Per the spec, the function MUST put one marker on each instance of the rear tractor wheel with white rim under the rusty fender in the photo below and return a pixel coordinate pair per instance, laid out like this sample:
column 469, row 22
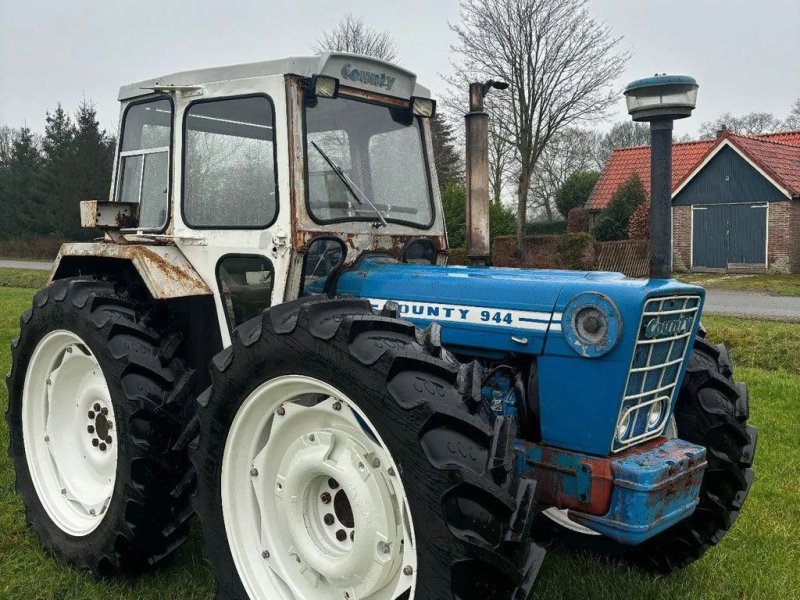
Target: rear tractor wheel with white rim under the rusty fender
column 97, row 400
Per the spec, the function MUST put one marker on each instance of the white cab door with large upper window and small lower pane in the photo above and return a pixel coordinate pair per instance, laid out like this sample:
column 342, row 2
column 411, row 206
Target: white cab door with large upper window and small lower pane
column 231, row 171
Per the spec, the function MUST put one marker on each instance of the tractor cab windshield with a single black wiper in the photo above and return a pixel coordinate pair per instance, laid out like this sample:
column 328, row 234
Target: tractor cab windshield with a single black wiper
column 379, row 149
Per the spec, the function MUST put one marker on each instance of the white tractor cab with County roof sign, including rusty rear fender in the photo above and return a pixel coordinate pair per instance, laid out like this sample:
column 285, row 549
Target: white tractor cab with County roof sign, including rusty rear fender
column 250, row 182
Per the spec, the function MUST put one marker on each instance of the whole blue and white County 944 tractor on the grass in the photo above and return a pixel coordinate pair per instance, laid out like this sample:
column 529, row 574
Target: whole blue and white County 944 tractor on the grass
column 268, row 335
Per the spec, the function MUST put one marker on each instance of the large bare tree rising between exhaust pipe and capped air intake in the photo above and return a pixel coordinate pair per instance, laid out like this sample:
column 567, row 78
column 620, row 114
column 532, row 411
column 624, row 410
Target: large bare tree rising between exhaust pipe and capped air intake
column 559, row 62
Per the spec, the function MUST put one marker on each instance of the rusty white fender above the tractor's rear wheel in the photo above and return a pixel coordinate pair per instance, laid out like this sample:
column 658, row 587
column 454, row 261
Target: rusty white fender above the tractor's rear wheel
column 164, row 269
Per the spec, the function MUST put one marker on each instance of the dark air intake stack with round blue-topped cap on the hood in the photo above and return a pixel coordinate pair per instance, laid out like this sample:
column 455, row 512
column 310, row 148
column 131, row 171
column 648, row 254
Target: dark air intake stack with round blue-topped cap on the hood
column 660, row 100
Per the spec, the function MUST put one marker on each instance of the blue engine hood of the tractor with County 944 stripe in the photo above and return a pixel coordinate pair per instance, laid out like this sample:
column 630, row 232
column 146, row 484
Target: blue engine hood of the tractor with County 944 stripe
column 579, row 397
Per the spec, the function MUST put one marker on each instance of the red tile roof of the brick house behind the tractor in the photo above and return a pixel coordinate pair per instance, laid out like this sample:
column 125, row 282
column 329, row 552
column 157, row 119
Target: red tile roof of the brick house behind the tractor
column 777, row 154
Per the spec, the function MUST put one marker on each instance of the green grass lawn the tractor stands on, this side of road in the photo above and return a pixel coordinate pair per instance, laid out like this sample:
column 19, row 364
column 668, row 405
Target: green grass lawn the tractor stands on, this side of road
column 760, row 558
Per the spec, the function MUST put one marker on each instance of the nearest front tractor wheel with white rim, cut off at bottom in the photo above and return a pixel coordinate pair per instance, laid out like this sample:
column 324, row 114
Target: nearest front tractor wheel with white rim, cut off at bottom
column 321, row 401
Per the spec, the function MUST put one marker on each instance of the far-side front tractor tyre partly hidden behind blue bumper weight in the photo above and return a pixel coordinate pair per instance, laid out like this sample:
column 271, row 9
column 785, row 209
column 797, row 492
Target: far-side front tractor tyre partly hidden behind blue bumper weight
column 711, row 411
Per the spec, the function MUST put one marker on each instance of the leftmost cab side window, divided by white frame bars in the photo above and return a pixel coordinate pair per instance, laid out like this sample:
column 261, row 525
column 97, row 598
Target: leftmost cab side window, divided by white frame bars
column 143, row 172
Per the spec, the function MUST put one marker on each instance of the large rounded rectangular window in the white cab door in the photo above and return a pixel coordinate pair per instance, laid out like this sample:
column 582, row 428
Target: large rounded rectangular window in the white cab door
column 229, row 164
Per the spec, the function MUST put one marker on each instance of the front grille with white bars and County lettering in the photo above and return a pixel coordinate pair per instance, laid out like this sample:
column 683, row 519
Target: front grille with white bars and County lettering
column 662, row 345
